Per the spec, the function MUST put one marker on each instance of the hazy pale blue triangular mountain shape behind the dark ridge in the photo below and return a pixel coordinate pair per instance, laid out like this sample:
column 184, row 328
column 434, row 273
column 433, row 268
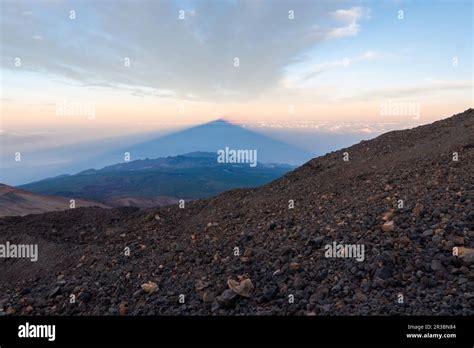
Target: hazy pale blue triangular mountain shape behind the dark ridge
column 208, row 137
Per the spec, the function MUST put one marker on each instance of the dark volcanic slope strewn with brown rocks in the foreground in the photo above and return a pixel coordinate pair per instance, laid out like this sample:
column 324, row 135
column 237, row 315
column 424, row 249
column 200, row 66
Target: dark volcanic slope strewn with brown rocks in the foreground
column 406, row 196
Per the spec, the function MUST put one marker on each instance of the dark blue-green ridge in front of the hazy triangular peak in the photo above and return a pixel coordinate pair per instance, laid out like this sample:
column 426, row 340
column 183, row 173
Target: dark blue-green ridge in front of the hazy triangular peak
column 155, row 182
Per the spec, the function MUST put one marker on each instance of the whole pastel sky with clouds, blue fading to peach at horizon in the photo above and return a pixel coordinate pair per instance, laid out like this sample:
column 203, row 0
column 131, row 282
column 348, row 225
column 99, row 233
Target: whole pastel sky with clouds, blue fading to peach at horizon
column 79, row 70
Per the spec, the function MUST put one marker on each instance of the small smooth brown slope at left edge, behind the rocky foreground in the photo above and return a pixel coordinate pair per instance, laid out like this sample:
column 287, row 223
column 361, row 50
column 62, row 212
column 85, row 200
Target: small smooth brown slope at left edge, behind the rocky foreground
column 15, row 202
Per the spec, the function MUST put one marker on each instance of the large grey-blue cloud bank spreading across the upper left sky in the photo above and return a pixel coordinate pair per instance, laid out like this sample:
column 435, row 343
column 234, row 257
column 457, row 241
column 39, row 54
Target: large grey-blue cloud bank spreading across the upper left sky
column 174, row 49
